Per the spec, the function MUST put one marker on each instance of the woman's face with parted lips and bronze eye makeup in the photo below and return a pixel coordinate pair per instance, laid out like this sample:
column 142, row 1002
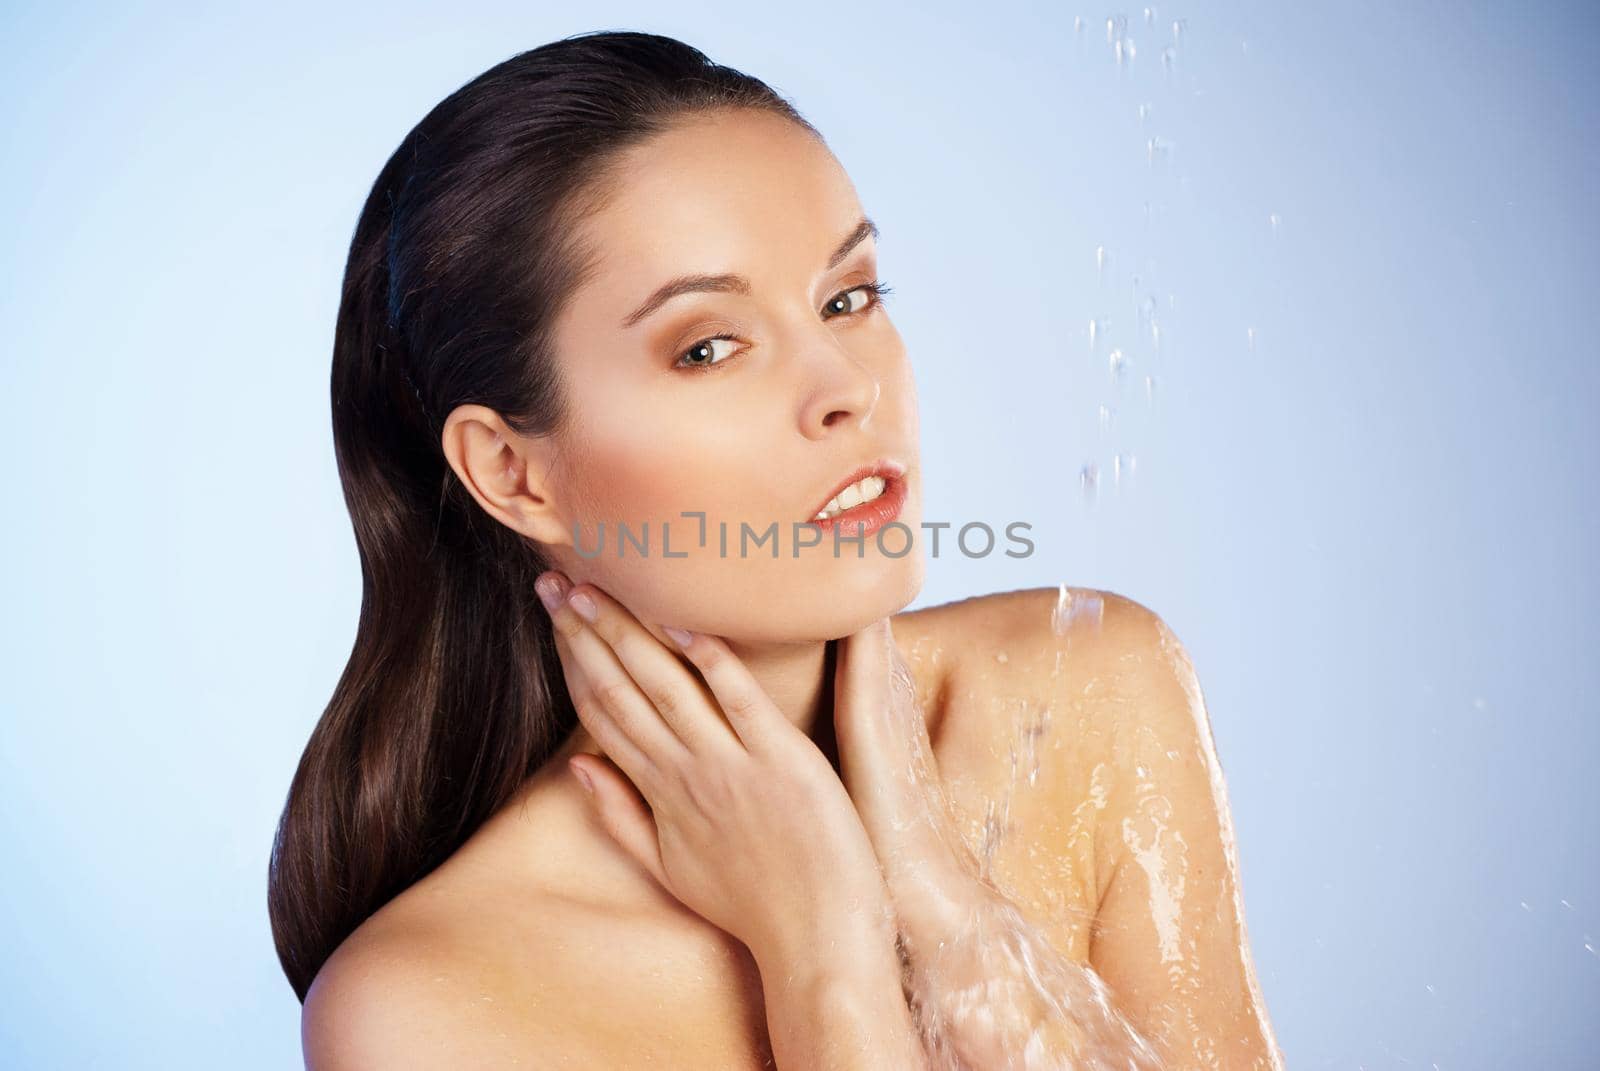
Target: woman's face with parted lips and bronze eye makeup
column 759, row 428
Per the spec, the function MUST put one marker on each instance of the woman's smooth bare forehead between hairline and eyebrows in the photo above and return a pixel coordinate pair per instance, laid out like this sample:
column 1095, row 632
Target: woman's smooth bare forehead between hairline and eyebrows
column 735, row 191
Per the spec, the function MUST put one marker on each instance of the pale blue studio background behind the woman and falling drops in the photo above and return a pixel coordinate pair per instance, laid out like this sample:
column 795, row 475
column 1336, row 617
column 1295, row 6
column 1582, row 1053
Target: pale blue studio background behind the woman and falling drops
column 1359, row 489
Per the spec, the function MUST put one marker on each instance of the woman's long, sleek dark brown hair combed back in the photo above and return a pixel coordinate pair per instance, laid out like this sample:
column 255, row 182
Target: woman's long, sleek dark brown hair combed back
column 462, row 260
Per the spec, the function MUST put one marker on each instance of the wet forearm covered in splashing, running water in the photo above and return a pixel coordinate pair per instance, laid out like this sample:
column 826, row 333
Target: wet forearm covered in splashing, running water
column 991, row 992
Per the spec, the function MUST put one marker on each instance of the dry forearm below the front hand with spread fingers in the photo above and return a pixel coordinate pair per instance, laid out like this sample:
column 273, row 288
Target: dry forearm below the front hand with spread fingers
column 841, row 1005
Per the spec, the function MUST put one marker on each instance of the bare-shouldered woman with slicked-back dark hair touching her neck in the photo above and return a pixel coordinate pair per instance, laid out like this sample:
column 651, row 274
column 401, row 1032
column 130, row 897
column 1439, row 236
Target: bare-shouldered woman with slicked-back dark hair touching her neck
column 697, row 804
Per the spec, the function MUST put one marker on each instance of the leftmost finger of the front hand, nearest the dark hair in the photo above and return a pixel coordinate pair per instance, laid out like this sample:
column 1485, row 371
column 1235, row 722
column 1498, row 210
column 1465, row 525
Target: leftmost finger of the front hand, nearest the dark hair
column 609, row 694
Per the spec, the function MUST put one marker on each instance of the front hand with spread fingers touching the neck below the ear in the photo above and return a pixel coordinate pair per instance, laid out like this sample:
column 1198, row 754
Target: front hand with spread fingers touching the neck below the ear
column 748, row 824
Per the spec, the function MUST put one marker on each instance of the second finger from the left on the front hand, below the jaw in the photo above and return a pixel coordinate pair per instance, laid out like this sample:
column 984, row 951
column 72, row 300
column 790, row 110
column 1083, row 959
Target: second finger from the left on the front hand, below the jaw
column 671, row 688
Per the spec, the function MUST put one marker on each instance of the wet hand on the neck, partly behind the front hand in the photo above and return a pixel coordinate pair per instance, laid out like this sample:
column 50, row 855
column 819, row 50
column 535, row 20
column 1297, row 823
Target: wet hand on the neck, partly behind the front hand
column 886, row 761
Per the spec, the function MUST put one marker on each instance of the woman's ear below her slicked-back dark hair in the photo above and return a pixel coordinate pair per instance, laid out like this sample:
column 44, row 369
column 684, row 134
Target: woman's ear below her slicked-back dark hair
column 506, row 473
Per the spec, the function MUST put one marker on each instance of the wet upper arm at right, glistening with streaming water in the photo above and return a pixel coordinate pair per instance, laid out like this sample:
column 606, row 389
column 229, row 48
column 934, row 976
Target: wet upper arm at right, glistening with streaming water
column 1169, row 933
